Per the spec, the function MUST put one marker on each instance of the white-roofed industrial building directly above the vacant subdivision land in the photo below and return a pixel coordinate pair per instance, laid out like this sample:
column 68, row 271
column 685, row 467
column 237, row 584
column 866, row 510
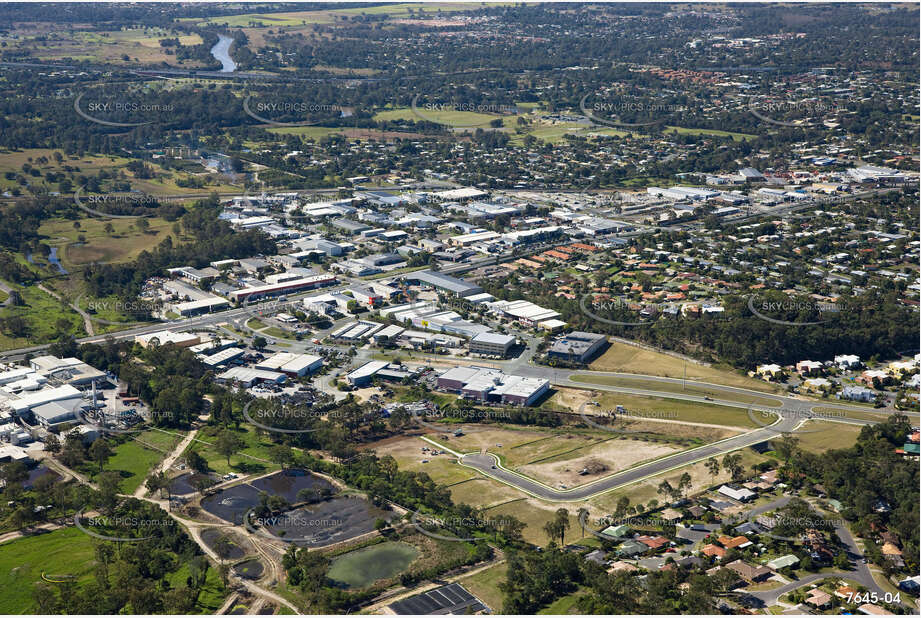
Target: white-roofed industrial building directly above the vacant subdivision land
column 493, row 386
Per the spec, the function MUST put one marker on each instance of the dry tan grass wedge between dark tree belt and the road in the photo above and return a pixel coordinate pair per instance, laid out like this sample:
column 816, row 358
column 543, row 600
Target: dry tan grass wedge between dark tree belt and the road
column 632, row 359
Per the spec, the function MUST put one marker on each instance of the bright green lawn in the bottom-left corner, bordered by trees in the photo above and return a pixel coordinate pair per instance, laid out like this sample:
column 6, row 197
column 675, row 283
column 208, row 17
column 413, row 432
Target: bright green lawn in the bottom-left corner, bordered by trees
column 65, row 552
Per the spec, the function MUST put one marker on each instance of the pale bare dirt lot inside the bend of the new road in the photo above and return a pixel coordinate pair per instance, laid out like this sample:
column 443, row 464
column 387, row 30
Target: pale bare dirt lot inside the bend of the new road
column 616, row 454
